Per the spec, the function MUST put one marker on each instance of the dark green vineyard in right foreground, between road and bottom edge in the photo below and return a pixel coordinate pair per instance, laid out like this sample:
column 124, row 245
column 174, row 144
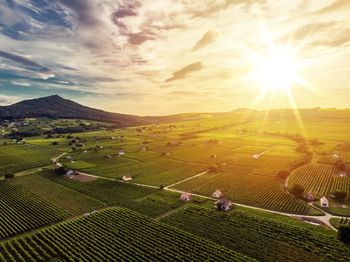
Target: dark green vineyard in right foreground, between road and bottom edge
column 261, row 237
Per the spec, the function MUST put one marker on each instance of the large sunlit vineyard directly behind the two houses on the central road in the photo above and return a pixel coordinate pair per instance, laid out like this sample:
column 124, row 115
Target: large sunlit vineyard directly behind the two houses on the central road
column 242, row 187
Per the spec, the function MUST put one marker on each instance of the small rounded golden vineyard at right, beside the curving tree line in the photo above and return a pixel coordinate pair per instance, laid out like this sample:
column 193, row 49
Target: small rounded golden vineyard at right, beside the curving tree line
column 315, row 178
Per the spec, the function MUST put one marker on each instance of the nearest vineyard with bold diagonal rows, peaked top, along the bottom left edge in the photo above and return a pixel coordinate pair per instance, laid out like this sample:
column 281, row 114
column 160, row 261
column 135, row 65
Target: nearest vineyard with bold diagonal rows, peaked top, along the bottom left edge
column 115, row 234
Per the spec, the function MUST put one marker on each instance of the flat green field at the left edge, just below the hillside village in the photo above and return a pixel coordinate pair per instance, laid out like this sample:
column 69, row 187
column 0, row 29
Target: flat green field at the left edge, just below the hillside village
column 15, row 158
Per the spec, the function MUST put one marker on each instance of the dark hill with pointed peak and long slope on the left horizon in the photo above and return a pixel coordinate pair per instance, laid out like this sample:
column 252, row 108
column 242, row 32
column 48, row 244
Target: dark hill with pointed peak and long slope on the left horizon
column 55, row 106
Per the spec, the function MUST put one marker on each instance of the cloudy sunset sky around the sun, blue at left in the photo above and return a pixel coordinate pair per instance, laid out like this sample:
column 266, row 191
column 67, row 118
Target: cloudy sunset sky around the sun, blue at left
column 158, row 57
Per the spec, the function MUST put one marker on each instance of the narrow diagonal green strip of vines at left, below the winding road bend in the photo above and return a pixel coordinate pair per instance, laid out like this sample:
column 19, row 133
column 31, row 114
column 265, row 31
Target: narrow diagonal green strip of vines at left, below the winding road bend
column 72, row 201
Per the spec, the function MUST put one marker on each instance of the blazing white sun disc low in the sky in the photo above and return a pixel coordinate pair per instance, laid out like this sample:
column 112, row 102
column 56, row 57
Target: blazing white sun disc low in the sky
column 276, row 70
